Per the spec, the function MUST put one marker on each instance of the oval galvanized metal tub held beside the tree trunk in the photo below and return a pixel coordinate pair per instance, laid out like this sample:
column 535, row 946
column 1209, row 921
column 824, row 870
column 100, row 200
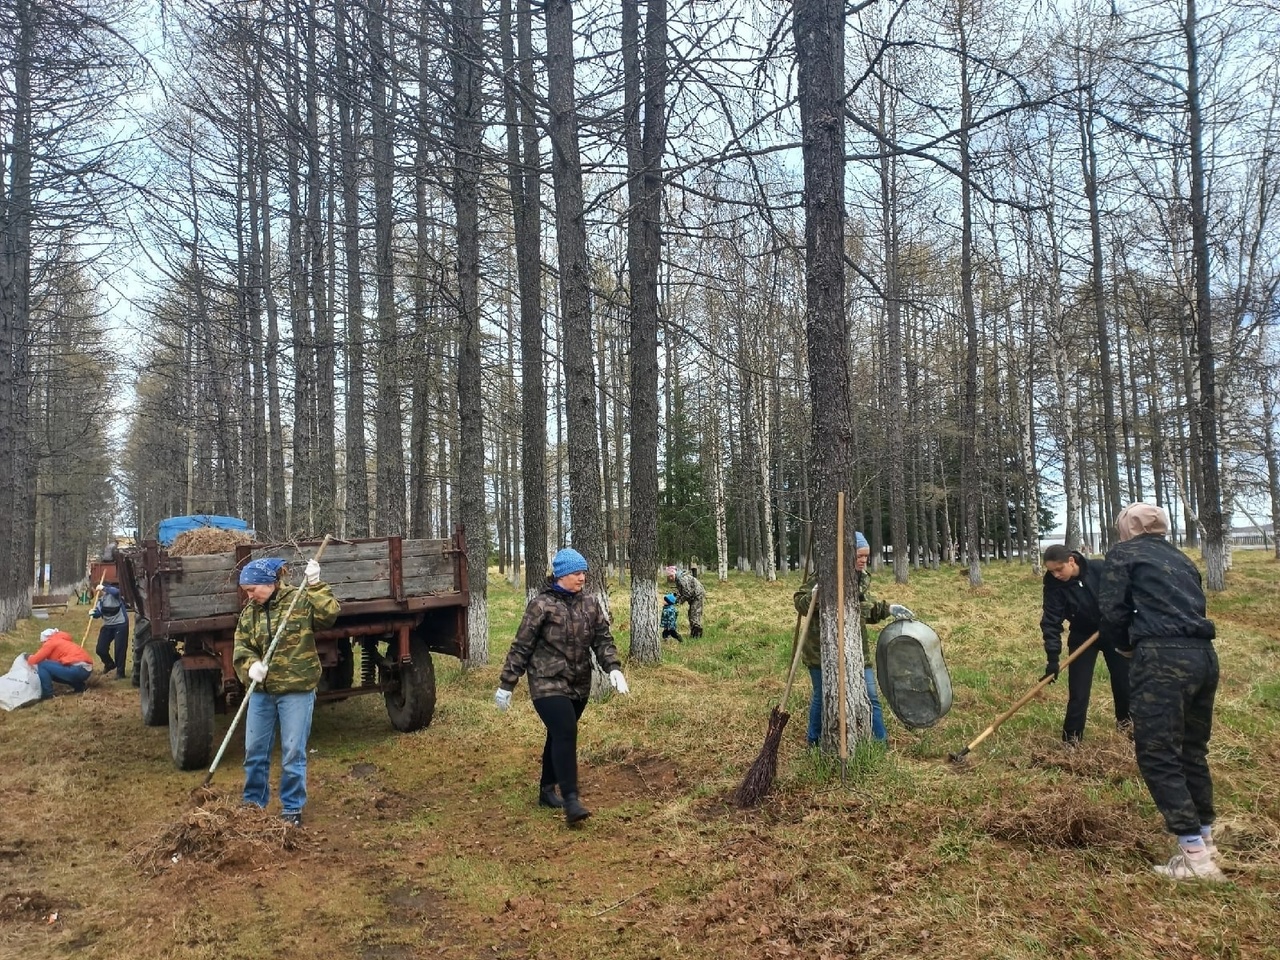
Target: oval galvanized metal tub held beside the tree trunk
column 912, row 675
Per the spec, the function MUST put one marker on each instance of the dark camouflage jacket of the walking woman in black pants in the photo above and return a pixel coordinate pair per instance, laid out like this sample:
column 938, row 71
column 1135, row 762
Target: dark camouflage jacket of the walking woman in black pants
column 555, row 644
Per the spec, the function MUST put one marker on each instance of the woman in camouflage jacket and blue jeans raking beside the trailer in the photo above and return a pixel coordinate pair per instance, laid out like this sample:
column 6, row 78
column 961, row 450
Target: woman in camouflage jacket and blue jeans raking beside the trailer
column 286, row 688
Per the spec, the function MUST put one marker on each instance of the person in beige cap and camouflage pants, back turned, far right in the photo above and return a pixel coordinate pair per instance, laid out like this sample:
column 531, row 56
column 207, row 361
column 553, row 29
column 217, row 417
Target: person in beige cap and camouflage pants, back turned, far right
column 1153, row 600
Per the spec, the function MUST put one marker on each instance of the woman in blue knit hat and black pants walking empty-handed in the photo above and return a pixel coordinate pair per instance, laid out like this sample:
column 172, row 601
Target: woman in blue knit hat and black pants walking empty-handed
column 561, row 629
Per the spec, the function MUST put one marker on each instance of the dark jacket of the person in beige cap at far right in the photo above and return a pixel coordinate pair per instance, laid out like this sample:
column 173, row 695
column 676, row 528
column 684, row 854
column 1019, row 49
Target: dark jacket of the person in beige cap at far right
column 1153, row 591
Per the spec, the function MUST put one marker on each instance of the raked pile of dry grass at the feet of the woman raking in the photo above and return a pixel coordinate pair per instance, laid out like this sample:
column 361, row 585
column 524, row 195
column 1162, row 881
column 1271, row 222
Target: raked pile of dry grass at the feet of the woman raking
column 216, row 833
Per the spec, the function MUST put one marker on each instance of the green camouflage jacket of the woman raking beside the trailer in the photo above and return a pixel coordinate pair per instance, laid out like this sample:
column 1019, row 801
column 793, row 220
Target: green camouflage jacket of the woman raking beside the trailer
column 295, row 666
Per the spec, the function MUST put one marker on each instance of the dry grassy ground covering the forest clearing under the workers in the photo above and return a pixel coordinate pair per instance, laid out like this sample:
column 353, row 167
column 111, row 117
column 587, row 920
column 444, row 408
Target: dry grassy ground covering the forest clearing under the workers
column 429, row 845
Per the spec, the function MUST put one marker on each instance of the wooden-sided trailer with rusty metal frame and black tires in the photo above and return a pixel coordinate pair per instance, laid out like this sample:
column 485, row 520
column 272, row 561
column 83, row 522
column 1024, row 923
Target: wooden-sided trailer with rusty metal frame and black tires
column 401, row 601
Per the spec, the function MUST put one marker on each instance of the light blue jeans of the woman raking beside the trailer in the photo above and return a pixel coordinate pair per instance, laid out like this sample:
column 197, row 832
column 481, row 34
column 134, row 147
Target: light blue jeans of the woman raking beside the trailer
column 294, row 714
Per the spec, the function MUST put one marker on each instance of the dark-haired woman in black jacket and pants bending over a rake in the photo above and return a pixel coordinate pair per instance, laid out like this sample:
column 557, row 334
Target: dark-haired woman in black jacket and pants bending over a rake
column 1072, row 595
